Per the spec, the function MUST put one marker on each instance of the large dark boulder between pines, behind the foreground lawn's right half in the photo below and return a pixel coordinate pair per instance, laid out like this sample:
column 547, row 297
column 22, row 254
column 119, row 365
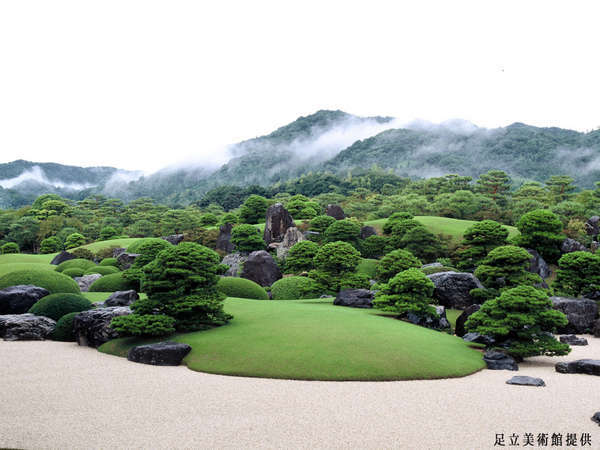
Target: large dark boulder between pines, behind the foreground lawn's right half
column 452, row 288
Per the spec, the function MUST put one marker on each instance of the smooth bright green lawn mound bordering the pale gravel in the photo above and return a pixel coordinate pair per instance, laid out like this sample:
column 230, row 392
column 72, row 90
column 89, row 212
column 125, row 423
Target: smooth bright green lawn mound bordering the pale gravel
column 314, row 340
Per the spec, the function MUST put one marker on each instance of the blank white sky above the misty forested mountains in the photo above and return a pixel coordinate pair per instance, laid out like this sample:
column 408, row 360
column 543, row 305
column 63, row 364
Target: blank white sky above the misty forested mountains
column 145, row 84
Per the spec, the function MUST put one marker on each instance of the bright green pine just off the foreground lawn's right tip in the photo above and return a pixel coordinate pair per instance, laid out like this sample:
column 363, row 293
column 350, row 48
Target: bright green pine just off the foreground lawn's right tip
column 522, row 320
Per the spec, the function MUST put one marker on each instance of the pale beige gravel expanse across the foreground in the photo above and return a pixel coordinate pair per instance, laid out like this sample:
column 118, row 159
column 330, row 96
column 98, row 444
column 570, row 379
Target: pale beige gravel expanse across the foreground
column 59, row 395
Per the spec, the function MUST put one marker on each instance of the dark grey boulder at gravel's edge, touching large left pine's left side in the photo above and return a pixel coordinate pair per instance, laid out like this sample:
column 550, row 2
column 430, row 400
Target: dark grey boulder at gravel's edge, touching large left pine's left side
column 92, row 328
